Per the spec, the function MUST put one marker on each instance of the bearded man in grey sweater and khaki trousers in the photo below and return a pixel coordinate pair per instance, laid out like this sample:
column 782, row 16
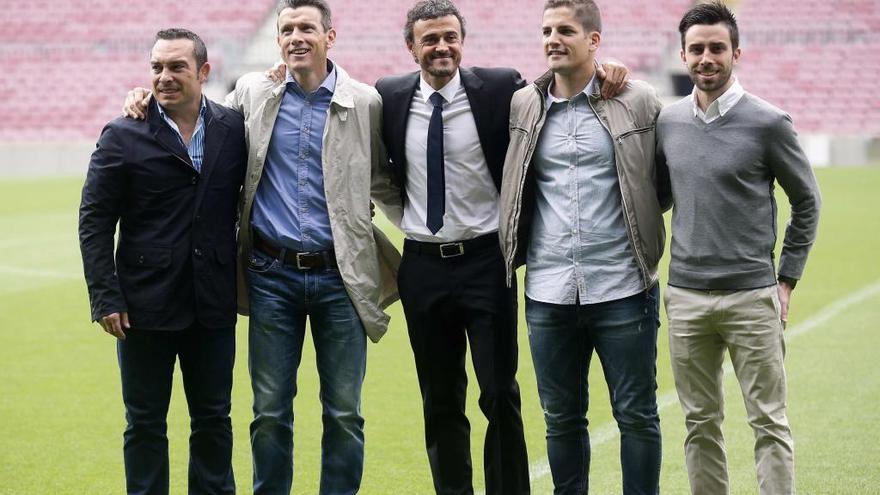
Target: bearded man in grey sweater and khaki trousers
column 724, row 149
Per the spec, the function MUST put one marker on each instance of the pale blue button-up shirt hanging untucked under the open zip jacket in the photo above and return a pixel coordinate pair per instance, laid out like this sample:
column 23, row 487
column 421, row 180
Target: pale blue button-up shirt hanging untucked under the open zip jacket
column 579, row 250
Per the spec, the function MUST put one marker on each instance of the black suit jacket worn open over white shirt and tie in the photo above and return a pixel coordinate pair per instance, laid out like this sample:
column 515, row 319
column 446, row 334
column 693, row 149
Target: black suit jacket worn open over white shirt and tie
column 489, row 92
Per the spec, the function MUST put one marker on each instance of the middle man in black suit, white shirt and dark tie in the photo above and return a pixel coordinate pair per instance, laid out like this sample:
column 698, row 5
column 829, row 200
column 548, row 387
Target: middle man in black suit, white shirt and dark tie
column 451, row 279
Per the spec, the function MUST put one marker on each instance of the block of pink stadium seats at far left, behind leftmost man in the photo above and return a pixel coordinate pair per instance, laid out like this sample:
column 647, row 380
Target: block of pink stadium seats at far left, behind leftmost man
column 89, row 52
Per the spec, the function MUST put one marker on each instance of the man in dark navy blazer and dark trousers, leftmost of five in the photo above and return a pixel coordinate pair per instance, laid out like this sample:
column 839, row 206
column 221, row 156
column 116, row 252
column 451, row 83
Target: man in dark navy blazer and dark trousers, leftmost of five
column 172, row 183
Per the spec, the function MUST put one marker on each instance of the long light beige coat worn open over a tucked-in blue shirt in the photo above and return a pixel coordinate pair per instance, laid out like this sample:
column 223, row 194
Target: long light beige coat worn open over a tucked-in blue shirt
column 355, row 170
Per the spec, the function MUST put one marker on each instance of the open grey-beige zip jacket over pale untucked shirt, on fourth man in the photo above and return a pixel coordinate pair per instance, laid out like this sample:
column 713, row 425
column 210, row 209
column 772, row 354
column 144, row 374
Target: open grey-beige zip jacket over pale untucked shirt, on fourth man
column 630, row 119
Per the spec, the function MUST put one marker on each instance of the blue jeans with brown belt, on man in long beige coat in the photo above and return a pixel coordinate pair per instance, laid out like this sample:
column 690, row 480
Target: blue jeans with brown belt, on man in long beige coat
column 281, row 297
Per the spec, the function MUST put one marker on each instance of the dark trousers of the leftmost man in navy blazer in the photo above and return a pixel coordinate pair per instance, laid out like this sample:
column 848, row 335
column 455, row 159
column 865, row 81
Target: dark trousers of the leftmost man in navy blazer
column 146, row 362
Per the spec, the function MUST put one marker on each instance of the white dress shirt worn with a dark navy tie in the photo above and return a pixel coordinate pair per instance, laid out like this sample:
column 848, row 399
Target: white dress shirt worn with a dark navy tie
column 471, row 196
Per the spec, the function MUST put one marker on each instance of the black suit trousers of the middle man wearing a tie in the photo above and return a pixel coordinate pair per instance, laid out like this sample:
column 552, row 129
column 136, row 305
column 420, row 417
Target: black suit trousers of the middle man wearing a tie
column 449, row 302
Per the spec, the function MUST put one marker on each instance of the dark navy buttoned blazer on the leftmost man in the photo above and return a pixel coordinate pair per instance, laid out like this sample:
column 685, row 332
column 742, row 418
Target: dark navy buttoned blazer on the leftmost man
column 175, row 258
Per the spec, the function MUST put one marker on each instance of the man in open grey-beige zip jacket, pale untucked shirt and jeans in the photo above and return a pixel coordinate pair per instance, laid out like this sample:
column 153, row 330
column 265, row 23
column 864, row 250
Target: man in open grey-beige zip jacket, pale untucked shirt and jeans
column 579, row 206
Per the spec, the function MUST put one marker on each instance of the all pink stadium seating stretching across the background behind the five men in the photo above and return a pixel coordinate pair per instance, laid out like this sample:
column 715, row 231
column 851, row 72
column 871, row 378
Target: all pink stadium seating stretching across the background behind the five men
column 65, row 75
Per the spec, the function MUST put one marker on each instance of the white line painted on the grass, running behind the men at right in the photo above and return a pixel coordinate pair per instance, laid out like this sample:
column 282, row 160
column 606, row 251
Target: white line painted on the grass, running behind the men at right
column 607, row 432
